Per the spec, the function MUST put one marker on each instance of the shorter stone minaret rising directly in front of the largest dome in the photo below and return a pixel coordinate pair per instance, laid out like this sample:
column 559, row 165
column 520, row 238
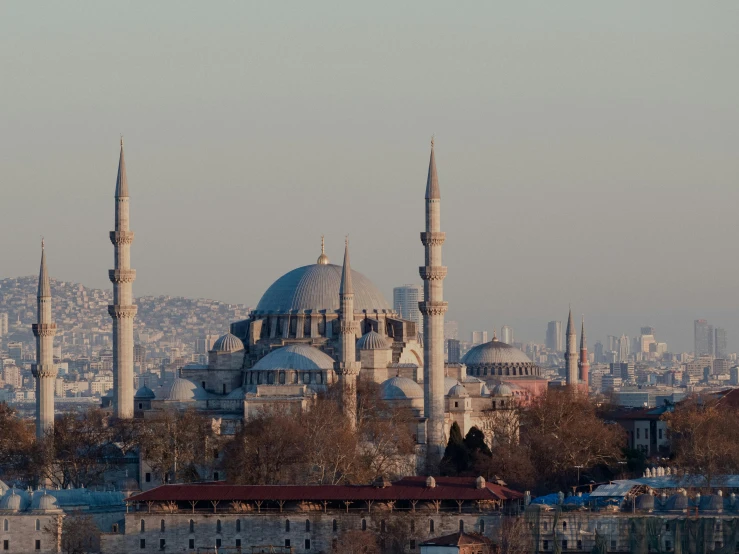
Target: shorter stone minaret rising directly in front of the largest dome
column 348, row 366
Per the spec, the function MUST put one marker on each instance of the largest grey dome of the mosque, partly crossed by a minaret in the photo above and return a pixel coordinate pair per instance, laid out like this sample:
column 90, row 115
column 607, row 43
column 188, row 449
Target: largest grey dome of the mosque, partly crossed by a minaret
column 316, row 288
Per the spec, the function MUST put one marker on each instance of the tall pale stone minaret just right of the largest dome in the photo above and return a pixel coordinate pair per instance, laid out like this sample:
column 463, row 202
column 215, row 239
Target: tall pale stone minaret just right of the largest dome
column 433, row 308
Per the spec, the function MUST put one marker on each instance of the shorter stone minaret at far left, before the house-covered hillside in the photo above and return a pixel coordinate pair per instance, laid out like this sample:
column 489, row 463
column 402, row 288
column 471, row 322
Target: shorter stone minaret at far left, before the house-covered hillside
column 44, row 370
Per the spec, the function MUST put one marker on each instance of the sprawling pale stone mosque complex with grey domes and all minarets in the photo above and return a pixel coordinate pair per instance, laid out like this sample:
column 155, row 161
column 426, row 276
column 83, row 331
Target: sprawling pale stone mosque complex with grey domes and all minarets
column 316, row 326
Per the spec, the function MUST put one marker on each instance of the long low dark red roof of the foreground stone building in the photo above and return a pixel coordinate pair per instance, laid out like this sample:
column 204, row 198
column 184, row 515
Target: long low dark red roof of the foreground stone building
column 409, row 488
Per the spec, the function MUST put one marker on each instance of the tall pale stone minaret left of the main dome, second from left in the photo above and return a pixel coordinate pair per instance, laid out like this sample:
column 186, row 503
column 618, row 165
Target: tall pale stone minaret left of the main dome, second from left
column 122, row 310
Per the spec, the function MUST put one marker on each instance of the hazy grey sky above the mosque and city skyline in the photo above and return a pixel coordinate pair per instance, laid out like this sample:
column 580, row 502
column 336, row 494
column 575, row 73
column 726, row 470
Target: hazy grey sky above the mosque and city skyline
column 587, row 151
